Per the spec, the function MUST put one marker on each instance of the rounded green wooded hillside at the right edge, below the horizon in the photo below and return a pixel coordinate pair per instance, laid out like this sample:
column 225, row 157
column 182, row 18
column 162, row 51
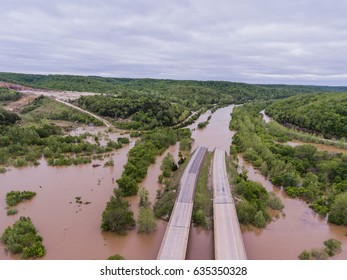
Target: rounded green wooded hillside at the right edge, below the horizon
column 324, row 113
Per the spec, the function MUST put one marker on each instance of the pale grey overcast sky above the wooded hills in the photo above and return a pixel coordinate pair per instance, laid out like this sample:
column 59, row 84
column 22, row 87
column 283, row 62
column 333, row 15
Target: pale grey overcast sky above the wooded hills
column 254, row 41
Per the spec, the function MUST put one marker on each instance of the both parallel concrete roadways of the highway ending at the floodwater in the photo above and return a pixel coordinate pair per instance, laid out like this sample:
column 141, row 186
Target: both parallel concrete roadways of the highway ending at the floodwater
column 228, row 240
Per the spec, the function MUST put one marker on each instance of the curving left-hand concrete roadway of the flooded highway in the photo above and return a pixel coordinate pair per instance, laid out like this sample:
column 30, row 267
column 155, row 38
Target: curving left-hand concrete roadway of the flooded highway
column 174, row 244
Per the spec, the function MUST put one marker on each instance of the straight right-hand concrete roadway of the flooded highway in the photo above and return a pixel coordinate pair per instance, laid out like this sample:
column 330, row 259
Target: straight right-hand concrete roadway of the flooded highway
column 228, row 240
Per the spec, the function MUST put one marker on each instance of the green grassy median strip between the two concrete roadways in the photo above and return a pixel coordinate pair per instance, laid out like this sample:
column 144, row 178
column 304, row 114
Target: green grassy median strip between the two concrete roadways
column 203, row 204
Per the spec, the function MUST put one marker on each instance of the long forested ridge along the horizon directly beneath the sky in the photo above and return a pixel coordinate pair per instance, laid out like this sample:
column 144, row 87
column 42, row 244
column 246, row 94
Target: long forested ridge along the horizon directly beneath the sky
column 203, row 92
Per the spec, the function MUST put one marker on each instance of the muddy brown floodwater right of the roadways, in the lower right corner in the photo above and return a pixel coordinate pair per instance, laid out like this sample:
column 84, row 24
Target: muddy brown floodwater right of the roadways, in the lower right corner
column 288, row 236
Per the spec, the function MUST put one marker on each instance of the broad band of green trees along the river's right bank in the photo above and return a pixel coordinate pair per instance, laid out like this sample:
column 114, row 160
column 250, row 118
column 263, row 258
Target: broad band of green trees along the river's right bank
column 320, row 178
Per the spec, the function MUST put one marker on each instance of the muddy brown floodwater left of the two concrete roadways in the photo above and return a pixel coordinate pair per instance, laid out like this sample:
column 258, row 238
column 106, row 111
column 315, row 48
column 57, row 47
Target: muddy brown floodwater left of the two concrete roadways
column 71, row 230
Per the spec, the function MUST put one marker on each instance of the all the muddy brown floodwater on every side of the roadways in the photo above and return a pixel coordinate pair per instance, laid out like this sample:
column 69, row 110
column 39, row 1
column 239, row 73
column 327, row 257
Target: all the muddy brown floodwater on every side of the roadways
column 72, row 231
